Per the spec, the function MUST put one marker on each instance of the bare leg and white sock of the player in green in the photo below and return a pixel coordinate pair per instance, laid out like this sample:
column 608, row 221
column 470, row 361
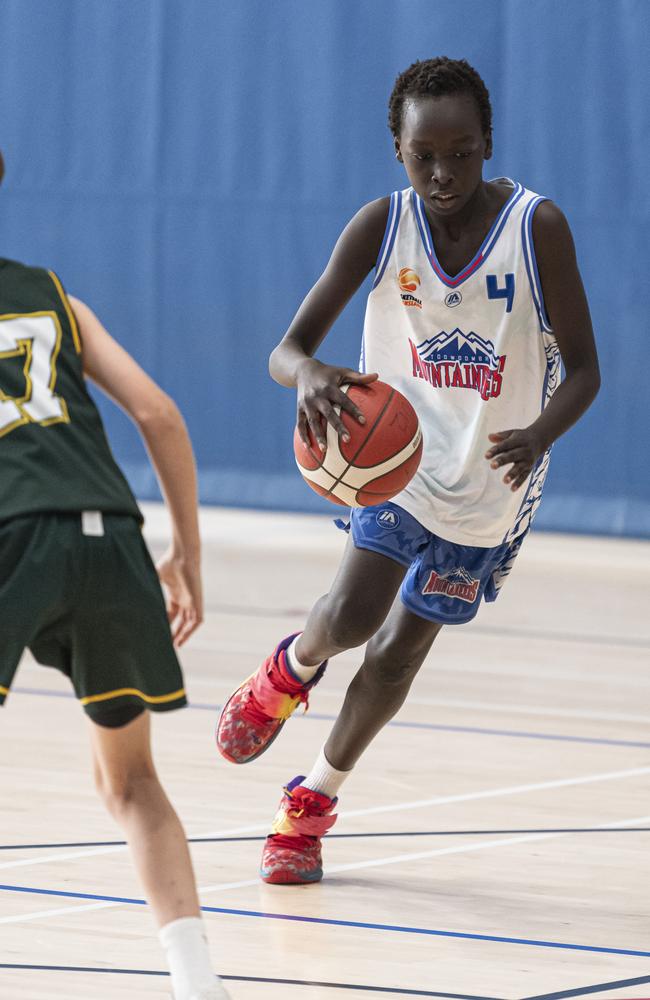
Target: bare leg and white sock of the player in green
column 127, row 782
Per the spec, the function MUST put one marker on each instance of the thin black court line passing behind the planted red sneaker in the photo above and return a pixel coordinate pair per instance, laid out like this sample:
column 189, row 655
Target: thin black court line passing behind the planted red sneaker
column 342, row 836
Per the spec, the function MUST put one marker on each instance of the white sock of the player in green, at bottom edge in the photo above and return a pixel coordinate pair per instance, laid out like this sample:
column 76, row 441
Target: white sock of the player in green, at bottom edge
column 188, row 958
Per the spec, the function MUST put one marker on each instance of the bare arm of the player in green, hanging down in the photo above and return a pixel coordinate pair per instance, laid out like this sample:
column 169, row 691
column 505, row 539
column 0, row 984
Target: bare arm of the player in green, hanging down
column 163, row 430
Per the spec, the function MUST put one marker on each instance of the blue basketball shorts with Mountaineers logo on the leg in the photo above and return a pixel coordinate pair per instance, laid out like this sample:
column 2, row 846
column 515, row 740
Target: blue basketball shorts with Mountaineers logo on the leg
column 444, row 581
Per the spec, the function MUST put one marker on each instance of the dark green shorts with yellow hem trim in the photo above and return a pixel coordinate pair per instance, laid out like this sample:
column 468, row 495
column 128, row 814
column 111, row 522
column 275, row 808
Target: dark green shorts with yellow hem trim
column 91, row 606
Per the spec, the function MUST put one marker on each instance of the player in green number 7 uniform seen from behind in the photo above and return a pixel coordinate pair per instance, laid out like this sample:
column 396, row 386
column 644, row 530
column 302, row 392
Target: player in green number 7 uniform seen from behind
column 78, row 586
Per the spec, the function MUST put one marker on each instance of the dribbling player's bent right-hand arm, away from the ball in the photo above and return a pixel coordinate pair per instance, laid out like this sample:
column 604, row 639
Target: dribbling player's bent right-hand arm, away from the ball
column 568, row 312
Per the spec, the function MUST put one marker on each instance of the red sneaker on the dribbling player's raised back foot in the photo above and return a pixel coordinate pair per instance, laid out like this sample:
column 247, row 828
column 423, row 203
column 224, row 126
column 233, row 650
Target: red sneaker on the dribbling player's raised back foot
column 254, row 715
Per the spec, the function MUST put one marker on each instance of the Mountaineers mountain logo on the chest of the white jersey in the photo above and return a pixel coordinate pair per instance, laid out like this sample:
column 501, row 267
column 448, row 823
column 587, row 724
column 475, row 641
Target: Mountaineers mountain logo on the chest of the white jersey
column 459, row 360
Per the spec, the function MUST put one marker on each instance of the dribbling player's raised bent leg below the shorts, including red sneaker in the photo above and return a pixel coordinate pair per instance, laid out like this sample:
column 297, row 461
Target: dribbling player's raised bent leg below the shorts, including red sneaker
column 355, row 607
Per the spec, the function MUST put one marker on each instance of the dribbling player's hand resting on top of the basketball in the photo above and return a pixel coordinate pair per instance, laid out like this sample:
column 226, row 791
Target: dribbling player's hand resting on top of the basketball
column 319, row 391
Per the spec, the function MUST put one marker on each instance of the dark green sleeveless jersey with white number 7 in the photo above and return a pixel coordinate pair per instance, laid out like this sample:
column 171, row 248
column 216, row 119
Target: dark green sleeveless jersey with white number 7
column 54, row 455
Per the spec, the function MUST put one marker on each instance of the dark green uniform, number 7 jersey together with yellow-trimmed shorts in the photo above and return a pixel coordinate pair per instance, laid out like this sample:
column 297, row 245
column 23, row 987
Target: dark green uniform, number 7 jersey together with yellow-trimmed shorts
column 77, row 585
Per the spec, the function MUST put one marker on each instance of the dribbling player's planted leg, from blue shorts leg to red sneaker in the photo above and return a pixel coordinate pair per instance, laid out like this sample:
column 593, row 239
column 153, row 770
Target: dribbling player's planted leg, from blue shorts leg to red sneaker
column 445, row 583
